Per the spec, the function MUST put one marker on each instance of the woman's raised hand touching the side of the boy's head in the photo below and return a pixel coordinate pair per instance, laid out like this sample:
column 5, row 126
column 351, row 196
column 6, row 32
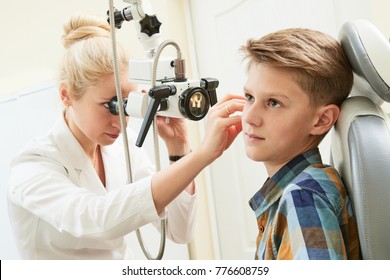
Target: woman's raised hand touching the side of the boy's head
column 223, row 125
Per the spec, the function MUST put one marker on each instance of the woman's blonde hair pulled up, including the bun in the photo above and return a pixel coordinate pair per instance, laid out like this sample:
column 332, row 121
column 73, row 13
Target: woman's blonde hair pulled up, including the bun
column 88, row 53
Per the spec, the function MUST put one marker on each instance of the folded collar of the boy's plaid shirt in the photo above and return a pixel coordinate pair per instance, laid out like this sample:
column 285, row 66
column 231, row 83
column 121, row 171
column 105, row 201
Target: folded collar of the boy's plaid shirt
column 274, row 186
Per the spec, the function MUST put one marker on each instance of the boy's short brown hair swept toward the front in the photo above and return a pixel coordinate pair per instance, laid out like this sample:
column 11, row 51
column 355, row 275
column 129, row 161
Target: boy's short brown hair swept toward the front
column 315, row 60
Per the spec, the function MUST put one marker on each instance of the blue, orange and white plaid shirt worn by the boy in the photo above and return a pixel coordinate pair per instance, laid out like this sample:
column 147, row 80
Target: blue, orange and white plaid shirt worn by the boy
column 304, row 212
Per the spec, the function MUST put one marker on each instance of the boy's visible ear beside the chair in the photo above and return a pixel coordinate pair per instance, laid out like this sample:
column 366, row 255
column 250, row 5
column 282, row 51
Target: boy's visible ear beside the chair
column 327, row 117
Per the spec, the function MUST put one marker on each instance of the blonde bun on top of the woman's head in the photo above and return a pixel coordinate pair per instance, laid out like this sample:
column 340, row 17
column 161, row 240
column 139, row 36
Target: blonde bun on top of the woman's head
column 80, row 27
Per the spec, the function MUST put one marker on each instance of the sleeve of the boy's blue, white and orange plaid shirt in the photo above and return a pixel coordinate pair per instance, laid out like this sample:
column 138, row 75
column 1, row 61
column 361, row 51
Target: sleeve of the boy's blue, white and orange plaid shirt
column 306, row 227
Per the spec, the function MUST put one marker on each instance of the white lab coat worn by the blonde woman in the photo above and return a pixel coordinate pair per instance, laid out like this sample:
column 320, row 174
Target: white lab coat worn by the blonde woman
column 59, row 209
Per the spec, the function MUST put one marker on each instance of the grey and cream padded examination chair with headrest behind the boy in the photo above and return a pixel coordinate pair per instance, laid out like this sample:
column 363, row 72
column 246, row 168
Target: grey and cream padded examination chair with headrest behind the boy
column 360, row 142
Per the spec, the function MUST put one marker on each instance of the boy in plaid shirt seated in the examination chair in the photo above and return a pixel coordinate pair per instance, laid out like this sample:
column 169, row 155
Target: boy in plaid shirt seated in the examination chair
column 297, row 80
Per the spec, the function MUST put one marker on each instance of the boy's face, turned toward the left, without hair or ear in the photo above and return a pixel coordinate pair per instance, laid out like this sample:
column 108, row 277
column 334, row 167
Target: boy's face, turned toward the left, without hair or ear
column 277, row 119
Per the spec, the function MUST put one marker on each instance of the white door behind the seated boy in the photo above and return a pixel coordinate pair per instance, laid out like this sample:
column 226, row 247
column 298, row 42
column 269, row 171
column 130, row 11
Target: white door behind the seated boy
column 220, row 27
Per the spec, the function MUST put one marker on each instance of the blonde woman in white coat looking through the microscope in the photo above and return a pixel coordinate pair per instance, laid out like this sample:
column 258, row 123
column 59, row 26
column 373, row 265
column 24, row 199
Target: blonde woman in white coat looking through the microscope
column 68, row 197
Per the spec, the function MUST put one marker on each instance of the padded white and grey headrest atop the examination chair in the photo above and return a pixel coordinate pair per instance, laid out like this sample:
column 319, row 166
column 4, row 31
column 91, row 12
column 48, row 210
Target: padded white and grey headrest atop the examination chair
column 369, row 54
